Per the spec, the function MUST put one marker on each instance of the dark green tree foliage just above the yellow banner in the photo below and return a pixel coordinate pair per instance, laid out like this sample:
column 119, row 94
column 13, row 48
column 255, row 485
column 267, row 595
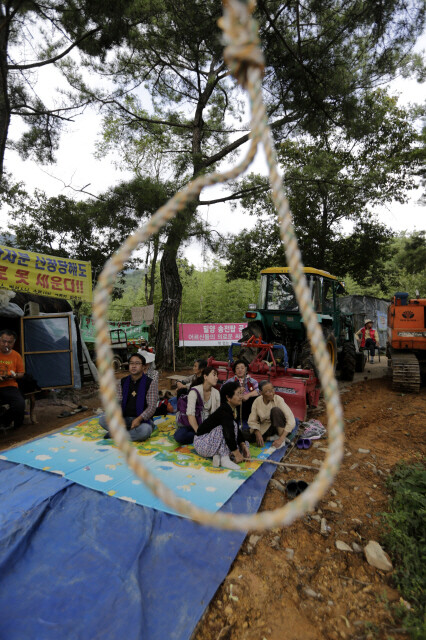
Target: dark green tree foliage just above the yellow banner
column 87, row 230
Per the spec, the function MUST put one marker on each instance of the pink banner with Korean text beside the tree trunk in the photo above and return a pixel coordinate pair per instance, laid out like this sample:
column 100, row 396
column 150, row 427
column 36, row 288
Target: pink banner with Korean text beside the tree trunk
column 216, row 335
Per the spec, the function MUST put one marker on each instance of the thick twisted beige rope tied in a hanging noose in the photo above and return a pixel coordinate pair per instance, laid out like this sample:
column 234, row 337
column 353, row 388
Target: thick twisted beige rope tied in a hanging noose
column 246, row 61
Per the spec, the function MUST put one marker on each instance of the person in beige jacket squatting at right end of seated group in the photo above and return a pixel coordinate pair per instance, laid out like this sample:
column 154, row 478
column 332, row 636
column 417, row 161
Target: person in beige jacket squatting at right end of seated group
column 270, row 418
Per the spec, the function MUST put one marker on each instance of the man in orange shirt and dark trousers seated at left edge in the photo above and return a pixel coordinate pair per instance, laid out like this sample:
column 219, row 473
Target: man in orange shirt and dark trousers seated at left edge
column 11, row 368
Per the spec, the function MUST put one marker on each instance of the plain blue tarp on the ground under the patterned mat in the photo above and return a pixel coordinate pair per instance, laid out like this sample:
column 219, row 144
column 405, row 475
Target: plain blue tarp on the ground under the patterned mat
column 75, row 563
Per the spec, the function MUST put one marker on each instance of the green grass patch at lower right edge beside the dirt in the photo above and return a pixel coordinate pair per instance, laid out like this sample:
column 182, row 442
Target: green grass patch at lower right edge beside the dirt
column 405, row 541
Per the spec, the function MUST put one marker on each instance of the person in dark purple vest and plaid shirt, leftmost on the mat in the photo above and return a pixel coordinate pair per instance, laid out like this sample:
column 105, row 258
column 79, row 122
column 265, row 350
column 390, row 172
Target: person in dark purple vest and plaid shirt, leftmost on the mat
column 139, row 396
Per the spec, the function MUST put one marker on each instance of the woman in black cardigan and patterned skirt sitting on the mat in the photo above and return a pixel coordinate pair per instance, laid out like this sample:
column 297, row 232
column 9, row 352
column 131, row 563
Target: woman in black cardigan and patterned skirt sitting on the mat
column 219, row 437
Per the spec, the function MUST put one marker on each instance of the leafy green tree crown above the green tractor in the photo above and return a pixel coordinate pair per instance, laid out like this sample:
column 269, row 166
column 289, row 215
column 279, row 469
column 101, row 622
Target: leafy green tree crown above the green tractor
column 333, row 178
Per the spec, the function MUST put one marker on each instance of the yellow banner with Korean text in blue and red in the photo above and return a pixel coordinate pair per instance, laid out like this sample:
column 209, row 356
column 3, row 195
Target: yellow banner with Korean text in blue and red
column 45, row 275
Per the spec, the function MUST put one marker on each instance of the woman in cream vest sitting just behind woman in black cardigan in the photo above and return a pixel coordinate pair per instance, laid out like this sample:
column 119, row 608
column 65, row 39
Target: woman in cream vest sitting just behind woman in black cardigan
column 203, row 400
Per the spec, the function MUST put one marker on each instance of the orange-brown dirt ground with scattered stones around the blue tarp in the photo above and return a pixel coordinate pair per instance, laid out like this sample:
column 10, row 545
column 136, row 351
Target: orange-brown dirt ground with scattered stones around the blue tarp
column 294, row 584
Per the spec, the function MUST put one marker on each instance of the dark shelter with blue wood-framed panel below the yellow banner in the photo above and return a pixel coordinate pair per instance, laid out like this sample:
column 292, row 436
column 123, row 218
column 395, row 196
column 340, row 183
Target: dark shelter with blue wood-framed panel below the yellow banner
column 49, row 343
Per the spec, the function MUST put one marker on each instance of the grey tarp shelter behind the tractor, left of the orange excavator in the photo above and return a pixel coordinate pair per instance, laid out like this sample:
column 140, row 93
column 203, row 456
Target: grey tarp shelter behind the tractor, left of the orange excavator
column 362, row 307
